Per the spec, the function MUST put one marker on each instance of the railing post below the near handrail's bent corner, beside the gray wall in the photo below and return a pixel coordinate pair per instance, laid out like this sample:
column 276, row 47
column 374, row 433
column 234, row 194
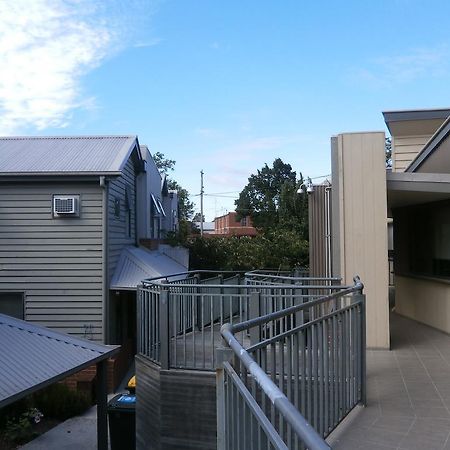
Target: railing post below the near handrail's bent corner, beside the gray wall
column 222, row 355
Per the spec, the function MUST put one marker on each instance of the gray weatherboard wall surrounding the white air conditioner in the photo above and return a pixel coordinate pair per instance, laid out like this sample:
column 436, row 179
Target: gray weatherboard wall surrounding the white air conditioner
column 56, row 262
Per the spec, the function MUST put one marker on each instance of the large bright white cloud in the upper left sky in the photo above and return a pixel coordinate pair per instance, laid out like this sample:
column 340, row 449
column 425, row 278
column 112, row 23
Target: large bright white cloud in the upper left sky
column 46, row 48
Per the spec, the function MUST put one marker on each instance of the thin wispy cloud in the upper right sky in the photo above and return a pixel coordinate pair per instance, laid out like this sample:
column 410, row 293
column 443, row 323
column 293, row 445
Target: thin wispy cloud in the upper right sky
column 397, row 69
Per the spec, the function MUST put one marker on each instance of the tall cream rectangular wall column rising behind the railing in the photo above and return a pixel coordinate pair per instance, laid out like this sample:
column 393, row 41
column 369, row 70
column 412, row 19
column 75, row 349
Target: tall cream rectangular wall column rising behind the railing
column 359, row 212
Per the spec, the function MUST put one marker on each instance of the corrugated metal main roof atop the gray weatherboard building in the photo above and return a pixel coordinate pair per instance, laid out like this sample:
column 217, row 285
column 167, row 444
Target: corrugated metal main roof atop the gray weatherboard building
column 64, row 155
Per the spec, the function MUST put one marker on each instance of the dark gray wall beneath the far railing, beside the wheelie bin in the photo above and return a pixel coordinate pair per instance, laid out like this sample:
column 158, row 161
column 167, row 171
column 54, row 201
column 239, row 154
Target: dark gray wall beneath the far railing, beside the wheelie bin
column 175, row 409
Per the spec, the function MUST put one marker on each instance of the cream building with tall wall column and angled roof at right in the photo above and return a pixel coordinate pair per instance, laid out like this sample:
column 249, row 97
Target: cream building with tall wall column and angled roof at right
column 372, row 213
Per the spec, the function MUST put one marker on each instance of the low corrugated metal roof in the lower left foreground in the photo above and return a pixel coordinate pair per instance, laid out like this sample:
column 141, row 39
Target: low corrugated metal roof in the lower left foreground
column 33, row 356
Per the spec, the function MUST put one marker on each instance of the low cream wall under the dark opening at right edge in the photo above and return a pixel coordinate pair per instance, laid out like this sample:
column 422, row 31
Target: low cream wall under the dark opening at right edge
column 424, row 300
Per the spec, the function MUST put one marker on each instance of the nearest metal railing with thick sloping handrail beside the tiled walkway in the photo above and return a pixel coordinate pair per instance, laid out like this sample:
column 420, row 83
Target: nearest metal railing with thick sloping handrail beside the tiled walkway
column 302, row 373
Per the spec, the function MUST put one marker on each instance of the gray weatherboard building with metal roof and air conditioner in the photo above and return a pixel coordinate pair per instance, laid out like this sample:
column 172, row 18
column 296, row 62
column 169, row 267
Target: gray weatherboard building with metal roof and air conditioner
column 73, row 211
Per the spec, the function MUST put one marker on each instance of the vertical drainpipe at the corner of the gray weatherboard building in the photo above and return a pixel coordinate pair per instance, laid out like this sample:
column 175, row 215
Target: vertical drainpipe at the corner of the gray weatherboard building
column 105, row 285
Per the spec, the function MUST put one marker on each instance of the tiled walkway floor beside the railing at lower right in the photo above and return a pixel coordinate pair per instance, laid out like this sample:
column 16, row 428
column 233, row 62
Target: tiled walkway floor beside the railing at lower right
column 408, row 393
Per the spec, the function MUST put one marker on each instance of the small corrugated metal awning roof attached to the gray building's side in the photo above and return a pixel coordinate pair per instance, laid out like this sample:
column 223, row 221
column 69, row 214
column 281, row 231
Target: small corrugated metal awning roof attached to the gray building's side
column 137, row 264
